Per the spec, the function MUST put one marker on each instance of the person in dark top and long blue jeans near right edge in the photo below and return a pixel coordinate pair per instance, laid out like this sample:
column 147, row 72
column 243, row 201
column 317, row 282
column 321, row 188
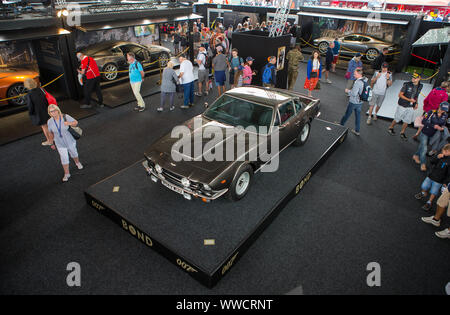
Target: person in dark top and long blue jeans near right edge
column 433, row 121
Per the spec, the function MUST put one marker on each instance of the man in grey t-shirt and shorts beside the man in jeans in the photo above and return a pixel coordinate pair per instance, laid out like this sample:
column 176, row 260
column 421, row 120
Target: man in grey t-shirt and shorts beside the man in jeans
column 381, row 80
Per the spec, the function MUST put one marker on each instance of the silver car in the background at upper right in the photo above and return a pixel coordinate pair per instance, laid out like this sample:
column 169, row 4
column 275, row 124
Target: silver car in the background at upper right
column 351, row 44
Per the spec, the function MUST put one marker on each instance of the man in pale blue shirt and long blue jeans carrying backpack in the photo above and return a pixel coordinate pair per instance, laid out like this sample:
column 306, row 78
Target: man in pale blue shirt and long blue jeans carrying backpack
column 356, row 100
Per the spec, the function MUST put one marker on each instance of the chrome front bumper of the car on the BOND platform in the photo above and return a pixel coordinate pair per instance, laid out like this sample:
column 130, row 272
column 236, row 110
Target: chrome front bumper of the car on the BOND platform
column 186, row 192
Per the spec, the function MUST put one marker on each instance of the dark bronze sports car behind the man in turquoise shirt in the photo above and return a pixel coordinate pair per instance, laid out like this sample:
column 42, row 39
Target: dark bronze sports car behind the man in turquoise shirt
column 111, row 56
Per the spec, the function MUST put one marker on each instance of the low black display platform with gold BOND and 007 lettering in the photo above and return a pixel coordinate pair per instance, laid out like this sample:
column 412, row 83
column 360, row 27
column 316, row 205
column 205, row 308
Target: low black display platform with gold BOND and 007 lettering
column 177, row 228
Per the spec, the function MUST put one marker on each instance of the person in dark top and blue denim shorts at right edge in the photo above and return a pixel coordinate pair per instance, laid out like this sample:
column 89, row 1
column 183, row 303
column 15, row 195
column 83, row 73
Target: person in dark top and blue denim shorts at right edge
column 438, row 176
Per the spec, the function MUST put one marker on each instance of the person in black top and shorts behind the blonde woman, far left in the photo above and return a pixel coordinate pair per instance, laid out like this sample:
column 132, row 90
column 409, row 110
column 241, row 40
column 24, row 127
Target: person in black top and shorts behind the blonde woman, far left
column 37, row 107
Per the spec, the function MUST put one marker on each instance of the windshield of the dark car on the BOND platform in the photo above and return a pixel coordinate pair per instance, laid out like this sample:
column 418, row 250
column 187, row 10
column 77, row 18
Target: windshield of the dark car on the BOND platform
column 237, row 112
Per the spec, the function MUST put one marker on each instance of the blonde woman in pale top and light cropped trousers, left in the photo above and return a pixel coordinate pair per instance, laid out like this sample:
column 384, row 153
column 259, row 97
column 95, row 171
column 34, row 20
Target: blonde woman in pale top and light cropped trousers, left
column 61, row 139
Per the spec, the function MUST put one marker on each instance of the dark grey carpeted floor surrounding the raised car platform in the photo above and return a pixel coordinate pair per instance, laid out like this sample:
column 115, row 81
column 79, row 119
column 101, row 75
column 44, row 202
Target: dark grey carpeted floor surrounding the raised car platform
column 359, row 208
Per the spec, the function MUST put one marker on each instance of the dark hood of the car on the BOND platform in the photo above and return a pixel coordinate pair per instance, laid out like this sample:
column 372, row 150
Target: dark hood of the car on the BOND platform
column 193, row 165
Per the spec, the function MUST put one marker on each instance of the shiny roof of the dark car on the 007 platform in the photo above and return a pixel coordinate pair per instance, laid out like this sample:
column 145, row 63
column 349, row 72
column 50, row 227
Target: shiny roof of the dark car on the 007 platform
column 265, row 96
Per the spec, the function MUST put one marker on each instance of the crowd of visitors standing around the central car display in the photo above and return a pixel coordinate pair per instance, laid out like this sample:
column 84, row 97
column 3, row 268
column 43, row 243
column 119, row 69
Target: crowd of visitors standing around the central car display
column 216, row 58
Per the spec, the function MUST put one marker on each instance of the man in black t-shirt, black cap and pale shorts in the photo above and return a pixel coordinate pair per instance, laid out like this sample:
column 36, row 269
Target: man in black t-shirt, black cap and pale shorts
column 407, row 104
